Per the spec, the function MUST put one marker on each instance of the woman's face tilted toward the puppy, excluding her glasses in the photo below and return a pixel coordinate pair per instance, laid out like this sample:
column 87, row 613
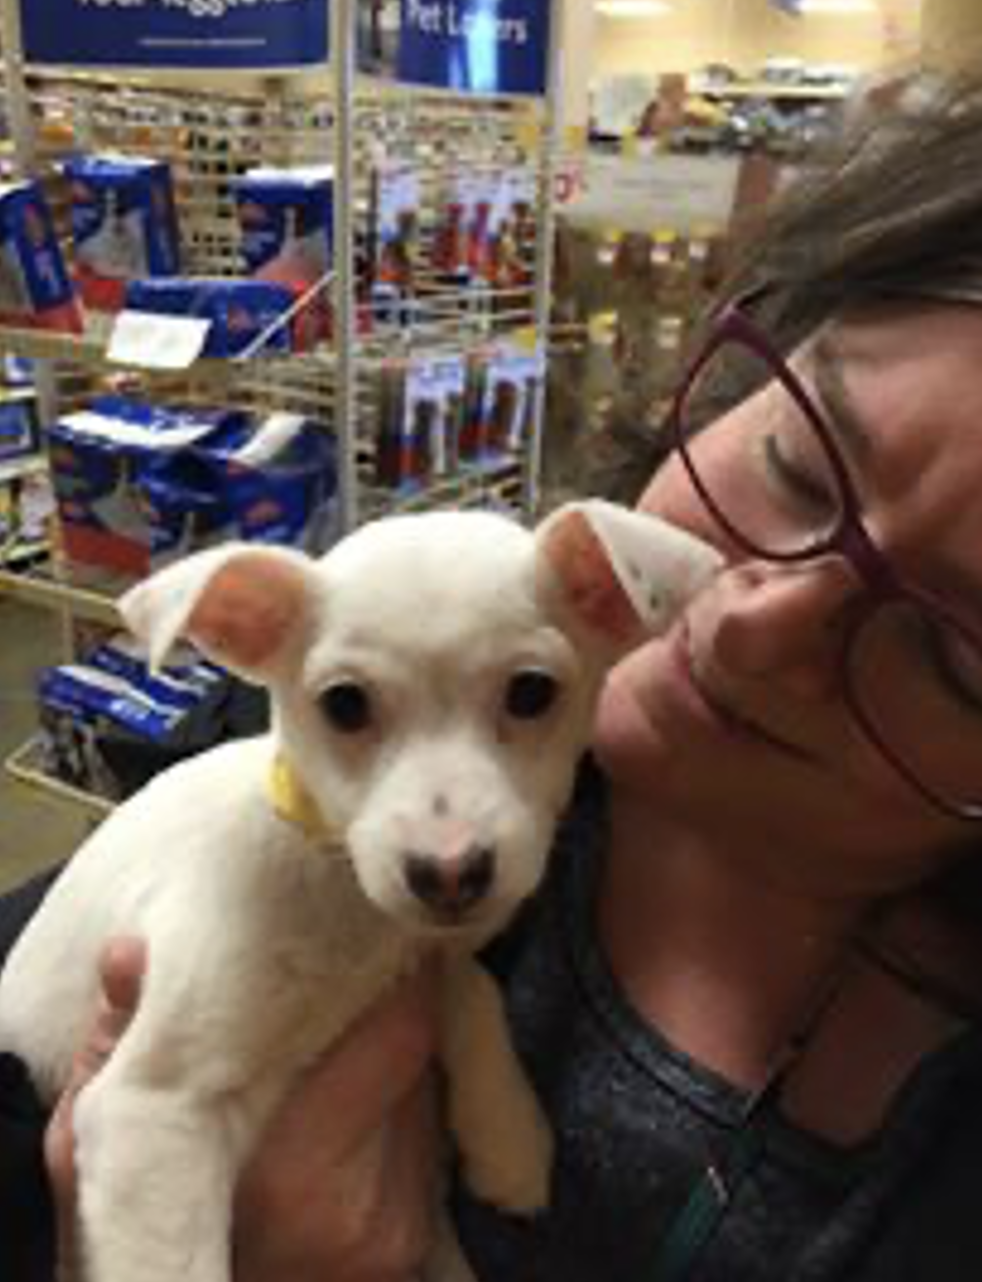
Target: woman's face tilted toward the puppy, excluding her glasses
column 736, row 720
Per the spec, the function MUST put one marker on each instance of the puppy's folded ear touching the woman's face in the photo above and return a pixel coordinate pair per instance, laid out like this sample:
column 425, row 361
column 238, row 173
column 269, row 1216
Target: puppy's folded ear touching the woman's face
column 621, row 575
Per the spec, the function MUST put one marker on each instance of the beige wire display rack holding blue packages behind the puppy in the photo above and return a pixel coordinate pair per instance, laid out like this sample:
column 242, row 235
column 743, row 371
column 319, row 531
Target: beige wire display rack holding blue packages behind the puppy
column 213, row 133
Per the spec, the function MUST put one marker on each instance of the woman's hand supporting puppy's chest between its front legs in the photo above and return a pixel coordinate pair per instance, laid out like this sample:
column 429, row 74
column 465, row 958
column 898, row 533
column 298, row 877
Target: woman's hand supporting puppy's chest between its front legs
column 343, row 1180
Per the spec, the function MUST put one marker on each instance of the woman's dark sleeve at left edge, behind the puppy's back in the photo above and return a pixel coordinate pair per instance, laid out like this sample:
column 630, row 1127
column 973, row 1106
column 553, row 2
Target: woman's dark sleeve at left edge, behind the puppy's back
column 28, row 1252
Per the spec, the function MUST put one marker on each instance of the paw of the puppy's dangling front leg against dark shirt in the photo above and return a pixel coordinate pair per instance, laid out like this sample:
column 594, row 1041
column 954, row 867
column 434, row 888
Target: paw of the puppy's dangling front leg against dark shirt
column 515, row 1172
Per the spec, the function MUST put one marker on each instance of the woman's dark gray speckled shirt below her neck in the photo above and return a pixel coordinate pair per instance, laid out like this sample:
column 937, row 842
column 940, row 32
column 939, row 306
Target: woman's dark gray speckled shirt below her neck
column 638, row 1124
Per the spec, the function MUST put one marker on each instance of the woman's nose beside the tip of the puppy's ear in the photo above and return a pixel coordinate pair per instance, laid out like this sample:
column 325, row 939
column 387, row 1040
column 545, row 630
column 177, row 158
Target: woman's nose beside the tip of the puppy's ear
column 784, row 622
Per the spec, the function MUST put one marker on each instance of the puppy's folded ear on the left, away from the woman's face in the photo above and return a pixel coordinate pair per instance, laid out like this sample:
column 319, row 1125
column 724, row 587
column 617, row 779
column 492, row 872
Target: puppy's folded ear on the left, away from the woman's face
column 242, row 606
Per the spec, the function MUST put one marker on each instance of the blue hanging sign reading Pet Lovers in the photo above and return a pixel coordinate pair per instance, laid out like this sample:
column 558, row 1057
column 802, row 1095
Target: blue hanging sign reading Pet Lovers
column 476, row 47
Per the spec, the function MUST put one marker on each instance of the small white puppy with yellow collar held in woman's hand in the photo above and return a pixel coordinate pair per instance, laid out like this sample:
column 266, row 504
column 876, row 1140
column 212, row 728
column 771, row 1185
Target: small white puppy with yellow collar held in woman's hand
column 433, row 683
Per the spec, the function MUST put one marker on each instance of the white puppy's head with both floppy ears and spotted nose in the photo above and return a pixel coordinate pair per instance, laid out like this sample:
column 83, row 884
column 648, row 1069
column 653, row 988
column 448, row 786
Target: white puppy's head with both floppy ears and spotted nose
column 434, row 681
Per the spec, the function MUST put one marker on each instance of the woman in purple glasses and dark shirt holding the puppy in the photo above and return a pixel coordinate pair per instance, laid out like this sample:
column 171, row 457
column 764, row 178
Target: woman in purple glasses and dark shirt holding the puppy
column 751, row 993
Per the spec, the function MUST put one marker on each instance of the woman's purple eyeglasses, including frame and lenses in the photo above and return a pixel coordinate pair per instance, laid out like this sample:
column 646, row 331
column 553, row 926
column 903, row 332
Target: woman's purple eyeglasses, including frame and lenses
column 910, row 670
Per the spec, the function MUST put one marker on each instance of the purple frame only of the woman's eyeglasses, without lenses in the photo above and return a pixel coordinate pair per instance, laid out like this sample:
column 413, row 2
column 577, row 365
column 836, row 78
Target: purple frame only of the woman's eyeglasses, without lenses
column 849, row 539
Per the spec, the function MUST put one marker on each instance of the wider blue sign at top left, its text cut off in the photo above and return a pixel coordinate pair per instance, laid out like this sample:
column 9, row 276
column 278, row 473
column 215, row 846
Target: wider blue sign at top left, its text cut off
column 211, row 34
